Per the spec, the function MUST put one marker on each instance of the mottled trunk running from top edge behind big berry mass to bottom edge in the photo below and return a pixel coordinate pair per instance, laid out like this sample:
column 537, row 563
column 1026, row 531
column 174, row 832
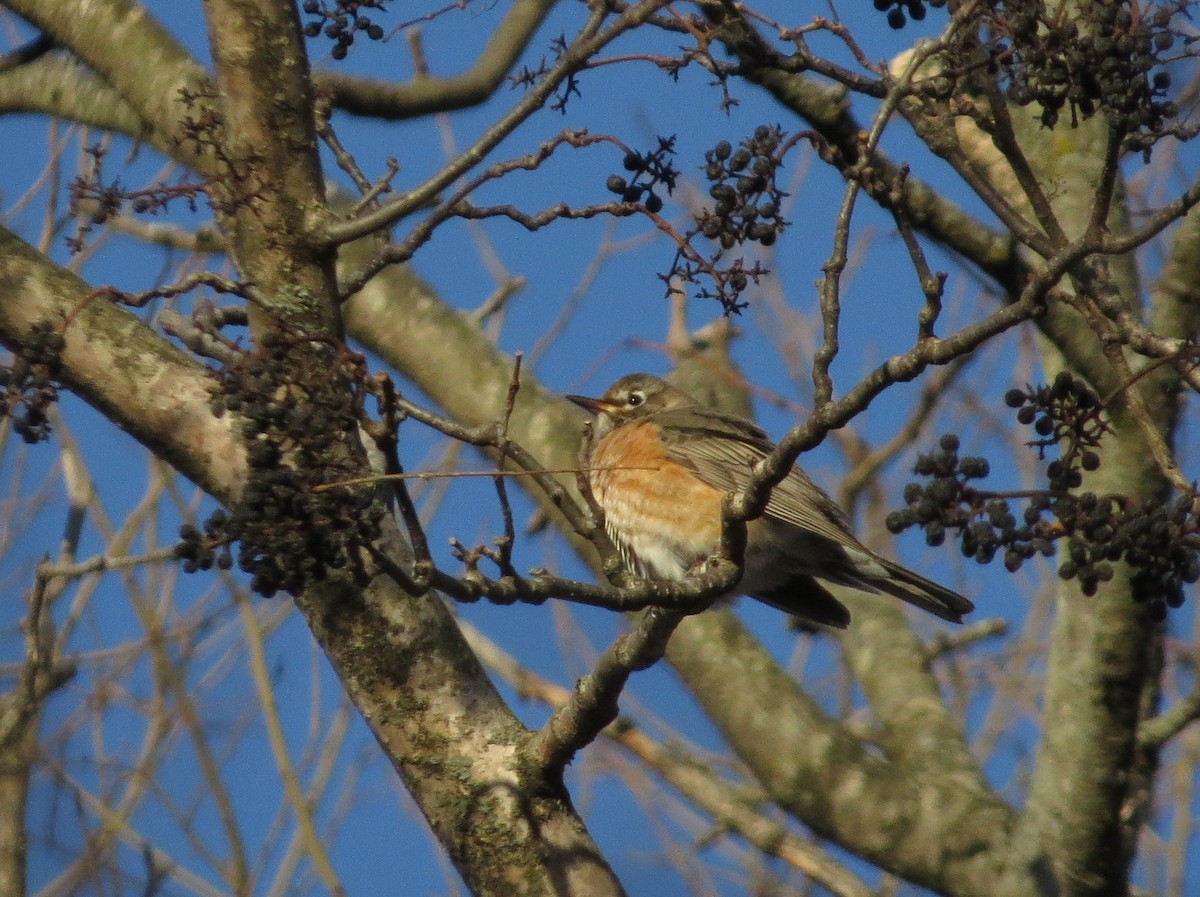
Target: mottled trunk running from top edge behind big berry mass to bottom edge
column 404, row 664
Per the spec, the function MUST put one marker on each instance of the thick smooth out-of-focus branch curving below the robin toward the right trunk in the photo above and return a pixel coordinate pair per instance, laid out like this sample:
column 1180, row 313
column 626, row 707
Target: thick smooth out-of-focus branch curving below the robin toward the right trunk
column 935, row 828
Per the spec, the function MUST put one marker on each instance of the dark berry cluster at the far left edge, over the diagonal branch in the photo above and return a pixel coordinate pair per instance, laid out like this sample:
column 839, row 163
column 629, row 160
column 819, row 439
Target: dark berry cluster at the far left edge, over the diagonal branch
column 28, row 383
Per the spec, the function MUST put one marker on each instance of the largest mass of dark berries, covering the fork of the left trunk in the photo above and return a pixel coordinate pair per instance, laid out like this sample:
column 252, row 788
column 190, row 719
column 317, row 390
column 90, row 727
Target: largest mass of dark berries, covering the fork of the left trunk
column 299, row 404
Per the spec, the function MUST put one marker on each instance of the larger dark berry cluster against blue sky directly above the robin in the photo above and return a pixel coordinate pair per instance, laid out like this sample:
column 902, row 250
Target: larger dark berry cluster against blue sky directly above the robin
column 746, row 197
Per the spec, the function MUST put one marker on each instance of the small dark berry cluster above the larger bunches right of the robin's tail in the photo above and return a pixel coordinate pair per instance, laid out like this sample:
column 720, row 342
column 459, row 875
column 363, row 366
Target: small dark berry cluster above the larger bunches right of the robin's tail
column 1066, row 414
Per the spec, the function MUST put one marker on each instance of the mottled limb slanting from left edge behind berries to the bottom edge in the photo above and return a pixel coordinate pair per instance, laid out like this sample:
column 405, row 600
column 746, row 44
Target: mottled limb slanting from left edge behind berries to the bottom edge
column 161, row 398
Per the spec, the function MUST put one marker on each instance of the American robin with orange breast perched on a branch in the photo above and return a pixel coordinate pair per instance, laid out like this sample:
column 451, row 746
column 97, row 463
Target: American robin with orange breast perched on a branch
column 661, row 466
